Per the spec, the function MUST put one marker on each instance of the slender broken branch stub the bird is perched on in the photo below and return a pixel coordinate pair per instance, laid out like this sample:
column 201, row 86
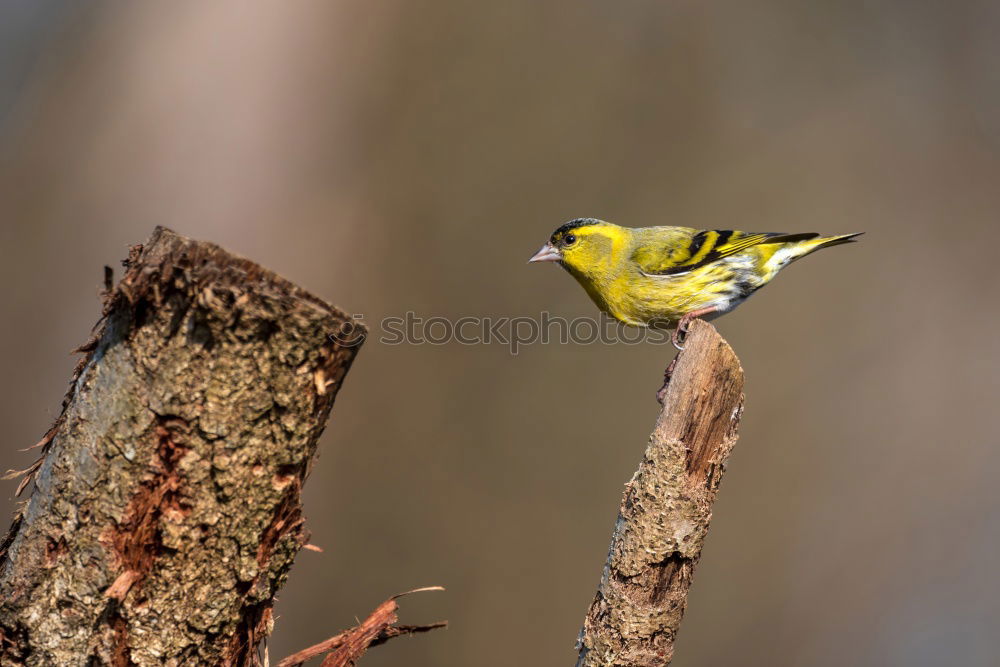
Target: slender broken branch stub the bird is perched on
column 666, row 509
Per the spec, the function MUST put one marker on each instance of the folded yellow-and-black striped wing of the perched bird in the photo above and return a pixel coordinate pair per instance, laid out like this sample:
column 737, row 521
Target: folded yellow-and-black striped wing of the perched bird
column 683, row 253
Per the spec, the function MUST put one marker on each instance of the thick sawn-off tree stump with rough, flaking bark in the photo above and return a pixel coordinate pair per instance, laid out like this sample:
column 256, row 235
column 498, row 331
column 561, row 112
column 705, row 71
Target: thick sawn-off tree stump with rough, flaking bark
column 166, row 510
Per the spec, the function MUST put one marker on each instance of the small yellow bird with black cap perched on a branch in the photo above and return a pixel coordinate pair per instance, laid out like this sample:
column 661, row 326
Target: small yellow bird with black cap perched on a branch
column 661, row 276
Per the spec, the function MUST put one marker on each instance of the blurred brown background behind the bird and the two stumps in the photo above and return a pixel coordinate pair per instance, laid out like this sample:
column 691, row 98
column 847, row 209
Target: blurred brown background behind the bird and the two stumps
column 395, row 156
